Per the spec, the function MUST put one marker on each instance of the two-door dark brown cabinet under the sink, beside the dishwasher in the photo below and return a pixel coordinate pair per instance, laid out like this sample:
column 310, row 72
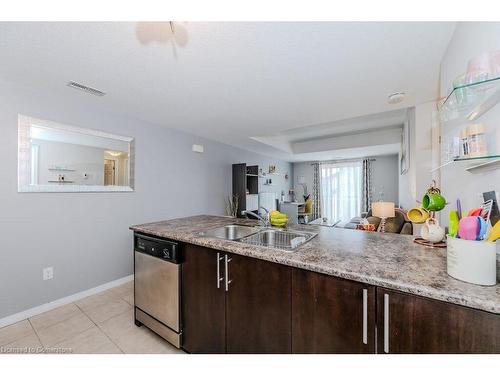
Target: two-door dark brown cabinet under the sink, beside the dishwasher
column 252, row 316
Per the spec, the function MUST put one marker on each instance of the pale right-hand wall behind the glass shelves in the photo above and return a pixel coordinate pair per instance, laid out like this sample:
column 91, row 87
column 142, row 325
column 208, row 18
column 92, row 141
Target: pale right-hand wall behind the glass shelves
column 469, row 40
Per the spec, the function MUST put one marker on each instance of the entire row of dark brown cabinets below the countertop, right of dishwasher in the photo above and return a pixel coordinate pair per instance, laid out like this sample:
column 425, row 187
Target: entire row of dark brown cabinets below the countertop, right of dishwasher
column 238, row 304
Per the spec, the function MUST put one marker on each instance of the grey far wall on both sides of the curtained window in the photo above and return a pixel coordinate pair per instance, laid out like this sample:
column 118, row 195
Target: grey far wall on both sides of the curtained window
column 384, row 176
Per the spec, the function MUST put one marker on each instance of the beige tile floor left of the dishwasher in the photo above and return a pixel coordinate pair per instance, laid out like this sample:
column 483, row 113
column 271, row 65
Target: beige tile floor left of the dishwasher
column 102, row 323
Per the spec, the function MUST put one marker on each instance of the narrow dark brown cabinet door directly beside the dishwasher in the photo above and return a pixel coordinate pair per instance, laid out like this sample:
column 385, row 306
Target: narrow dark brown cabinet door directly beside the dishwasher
column 203, row 301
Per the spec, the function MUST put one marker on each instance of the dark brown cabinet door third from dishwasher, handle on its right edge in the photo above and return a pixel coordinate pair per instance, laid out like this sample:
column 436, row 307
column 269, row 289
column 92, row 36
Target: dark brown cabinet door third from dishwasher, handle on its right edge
column 331, row 315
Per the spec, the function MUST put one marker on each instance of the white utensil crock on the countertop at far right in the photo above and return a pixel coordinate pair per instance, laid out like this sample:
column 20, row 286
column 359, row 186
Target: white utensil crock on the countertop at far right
column 474, row 262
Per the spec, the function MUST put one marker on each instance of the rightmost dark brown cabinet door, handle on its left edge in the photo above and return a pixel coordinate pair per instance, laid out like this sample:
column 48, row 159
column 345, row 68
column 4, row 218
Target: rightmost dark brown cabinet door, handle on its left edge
column 411, row 324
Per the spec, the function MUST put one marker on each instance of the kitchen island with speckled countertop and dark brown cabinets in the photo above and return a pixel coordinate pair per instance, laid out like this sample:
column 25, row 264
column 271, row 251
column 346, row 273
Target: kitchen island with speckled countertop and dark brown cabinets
column 387, row 272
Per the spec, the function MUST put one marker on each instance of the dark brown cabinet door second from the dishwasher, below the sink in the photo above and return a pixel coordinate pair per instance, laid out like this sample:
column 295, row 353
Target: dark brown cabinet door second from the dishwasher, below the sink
column 258, row 306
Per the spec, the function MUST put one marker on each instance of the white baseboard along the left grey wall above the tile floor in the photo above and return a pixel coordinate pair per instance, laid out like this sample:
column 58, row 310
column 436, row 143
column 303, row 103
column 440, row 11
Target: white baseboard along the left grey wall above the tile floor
column 11, row 319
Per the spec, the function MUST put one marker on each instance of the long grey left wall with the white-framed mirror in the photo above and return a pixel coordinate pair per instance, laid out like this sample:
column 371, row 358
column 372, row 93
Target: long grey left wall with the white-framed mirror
column 85, row 236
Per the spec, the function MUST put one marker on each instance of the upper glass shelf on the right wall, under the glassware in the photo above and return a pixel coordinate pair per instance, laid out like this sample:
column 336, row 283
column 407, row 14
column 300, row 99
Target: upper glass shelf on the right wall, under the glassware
column 471, row 101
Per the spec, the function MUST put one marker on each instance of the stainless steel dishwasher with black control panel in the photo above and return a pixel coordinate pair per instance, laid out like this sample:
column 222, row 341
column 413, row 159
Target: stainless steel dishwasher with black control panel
column 157, row 282
